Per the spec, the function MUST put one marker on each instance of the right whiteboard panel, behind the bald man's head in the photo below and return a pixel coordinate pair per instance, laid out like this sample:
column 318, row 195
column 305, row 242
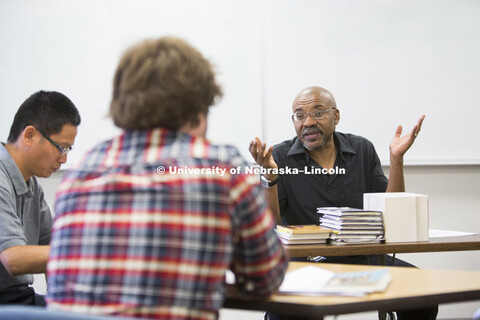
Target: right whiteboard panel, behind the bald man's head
column 386, row 63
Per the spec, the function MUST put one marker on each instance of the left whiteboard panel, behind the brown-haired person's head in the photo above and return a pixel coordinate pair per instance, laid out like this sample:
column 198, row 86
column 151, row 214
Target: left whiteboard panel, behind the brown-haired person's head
column 74, row 47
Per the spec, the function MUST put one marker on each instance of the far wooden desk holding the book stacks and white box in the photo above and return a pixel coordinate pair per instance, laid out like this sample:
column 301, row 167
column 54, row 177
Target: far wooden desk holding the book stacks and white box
column 433, row 245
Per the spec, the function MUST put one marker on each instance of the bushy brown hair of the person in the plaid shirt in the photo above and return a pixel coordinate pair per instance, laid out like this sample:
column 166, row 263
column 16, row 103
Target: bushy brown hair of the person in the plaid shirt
column 162, row 83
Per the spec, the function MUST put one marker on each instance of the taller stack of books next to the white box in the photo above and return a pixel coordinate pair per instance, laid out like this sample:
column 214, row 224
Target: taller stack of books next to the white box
column 352, row 226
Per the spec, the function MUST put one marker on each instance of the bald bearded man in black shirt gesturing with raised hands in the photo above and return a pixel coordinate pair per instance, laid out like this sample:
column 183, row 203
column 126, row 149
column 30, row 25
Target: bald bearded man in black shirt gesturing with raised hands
column 295, row 198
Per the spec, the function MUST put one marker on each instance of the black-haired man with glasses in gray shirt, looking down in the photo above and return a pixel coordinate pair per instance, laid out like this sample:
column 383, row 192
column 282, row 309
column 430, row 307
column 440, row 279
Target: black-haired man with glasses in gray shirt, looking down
column 42, row 133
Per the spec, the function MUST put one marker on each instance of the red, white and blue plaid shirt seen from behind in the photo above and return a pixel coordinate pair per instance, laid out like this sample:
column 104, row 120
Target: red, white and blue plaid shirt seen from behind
column 146, row 226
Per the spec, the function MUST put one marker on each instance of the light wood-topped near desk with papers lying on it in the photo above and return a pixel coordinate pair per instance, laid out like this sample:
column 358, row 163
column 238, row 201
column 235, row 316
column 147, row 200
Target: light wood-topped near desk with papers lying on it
column 409, row 288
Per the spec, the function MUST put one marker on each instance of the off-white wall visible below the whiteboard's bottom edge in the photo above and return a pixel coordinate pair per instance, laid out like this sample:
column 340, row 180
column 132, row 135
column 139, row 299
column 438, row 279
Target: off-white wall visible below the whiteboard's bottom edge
column 454, row 193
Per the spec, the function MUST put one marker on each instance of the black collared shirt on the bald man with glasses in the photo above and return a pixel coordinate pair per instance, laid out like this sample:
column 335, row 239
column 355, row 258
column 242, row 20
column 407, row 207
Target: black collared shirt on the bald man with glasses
column 300, row 194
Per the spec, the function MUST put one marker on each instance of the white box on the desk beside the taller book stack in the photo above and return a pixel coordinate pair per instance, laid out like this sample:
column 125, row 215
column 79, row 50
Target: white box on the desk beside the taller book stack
column 405, row 214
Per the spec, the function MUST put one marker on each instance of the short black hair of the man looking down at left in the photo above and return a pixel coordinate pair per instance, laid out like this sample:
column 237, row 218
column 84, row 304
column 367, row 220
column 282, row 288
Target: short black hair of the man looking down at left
column 48, row 111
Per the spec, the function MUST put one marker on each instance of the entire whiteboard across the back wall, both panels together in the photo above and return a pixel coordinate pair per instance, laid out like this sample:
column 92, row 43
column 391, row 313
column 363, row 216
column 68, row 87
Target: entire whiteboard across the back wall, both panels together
column 386, row 62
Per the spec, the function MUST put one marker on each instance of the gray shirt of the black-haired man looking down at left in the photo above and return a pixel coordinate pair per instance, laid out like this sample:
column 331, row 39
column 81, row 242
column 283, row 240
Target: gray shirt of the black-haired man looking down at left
column 25, row 217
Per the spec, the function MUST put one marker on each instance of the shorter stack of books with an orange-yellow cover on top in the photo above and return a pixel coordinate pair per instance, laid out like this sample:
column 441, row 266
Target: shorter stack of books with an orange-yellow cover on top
column 302, row 234
